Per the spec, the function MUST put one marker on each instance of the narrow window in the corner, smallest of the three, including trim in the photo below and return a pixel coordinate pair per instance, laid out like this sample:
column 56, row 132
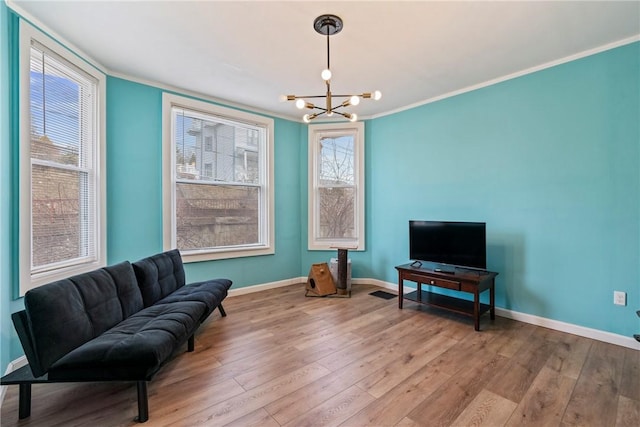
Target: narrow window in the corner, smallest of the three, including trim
column 336, row 186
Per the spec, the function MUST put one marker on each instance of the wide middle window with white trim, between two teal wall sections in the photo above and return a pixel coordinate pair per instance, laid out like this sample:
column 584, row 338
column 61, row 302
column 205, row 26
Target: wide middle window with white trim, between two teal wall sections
column 217, row 185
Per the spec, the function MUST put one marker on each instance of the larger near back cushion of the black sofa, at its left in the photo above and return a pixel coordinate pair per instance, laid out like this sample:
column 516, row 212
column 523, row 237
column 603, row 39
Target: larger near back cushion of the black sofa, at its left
column 67, row 313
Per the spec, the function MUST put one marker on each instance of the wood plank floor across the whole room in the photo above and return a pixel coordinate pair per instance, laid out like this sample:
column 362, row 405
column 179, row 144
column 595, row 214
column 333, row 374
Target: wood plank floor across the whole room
column 280, row 359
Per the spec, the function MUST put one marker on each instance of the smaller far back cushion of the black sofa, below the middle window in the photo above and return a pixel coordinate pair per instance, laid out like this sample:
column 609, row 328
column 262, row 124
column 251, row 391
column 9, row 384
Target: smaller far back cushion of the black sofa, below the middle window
column 159, row 275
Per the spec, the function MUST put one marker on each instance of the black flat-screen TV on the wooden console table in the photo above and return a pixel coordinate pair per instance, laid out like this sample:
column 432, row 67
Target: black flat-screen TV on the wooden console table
column 444, row 242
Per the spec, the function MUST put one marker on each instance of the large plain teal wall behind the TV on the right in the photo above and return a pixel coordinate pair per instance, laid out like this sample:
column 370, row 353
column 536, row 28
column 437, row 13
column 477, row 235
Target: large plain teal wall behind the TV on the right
column 550, row 161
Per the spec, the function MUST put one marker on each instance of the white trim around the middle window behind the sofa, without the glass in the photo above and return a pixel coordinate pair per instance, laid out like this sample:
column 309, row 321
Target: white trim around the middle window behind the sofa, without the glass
column 168, row 179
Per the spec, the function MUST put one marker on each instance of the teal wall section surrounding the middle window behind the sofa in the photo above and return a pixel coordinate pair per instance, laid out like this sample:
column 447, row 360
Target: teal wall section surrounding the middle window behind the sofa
column 134, row 188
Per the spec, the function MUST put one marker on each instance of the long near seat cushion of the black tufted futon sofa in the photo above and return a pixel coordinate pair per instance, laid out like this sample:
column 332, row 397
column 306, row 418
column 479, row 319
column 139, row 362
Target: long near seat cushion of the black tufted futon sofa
column 134, row 349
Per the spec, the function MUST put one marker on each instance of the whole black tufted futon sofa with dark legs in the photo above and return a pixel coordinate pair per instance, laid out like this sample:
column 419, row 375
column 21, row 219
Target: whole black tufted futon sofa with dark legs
column 117, row 323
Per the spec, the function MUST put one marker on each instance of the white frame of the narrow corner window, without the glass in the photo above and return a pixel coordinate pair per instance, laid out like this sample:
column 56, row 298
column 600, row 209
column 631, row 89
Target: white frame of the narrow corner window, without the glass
column 315, row 133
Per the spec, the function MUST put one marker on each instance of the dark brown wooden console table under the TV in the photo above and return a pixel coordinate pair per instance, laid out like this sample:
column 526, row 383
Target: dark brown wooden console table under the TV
column 463, row 280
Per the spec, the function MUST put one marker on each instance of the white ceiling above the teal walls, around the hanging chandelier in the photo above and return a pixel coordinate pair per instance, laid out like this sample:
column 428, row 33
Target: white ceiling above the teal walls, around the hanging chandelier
column 250, row 52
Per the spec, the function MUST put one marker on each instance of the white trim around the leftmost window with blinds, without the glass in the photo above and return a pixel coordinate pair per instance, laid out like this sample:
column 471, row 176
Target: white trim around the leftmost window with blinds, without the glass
column 29, row 280
